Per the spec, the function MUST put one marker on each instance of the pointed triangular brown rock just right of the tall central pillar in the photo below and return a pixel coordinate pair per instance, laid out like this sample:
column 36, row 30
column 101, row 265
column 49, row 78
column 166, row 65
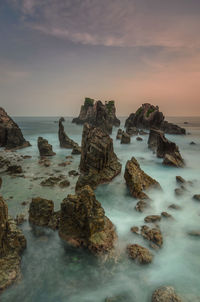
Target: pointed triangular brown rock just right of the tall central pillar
column 137, row 180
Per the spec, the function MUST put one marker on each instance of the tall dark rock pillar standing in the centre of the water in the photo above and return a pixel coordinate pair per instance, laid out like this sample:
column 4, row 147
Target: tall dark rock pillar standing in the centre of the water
column 99, row 163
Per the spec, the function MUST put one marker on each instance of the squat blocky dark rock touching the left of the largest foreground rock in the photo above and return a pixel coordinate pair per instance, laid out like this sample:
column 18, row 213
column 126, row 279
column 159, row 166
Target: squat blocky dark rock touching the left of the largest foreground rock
column 41, row 213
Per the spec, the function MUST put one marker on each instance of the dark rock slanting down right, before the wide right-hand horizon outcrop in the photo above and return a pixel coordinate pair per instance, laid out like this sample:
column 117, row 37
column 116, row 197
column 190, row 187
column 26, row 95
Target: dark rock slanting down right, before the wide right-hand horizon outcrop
column 165, row 148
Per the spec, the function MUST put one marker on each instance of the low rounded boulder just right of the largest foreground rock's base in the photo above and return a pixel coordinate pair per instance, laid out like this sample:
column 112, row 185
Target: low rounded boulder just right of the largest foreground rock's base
column 139, row 253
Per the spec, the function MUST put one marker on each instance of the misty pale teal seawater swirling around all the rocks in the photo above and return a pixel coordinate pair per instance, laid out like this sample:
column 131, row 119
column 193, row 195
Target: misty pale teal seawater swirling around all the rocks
column 54, row 272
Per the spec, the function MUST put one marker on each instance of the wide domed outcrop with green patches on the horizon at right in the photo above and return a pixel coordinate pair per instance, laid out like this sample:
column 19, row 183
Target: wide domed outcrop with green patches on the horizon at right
column 149, row 116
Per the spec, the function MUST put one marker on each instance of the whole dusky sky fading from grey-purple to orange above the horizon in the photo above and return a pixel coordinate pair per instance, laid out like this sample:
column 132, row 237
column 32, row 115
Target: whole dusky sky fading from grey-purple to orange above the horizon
column 54, row 53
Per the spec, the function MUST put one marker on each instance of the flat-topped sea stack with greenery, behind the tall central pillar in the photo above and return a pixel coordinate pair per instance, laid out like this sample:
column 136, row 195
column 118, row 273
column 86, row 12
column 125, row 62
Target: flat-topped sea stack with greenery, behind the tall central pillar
column 98, row 114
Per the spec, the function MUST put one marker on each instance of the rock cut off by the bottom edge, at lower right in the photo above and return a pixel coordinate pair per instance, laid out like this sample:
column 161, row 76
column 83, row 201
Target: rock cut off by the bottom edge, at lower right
column 165, row 294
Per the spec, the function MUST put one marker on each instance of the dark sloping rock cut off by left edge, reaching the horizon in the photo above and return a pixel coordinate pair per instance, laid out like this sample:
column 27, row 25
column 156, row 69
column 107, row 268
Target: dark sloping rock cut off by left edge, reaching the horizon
column 11, row 136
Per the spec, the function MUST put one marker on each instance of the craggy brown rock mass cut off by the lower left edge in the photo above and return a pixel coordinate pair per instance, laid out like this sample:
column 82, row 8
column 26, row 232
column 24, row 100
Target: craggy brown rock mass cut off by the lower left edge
column 12, row 243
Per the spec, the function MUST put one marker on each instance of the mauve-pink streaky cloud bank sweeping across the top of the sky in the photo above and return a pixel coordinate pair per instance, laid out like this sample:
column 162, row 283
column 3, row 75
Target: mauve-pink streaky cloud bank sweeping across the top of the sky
column 114, row 22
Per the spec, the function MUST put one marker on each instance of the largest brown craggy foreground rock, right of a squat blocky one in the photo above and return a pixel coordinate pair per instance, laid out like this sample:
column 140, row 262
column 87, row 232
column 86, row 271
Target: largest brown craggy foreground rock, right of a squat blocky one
column 83, row 223
